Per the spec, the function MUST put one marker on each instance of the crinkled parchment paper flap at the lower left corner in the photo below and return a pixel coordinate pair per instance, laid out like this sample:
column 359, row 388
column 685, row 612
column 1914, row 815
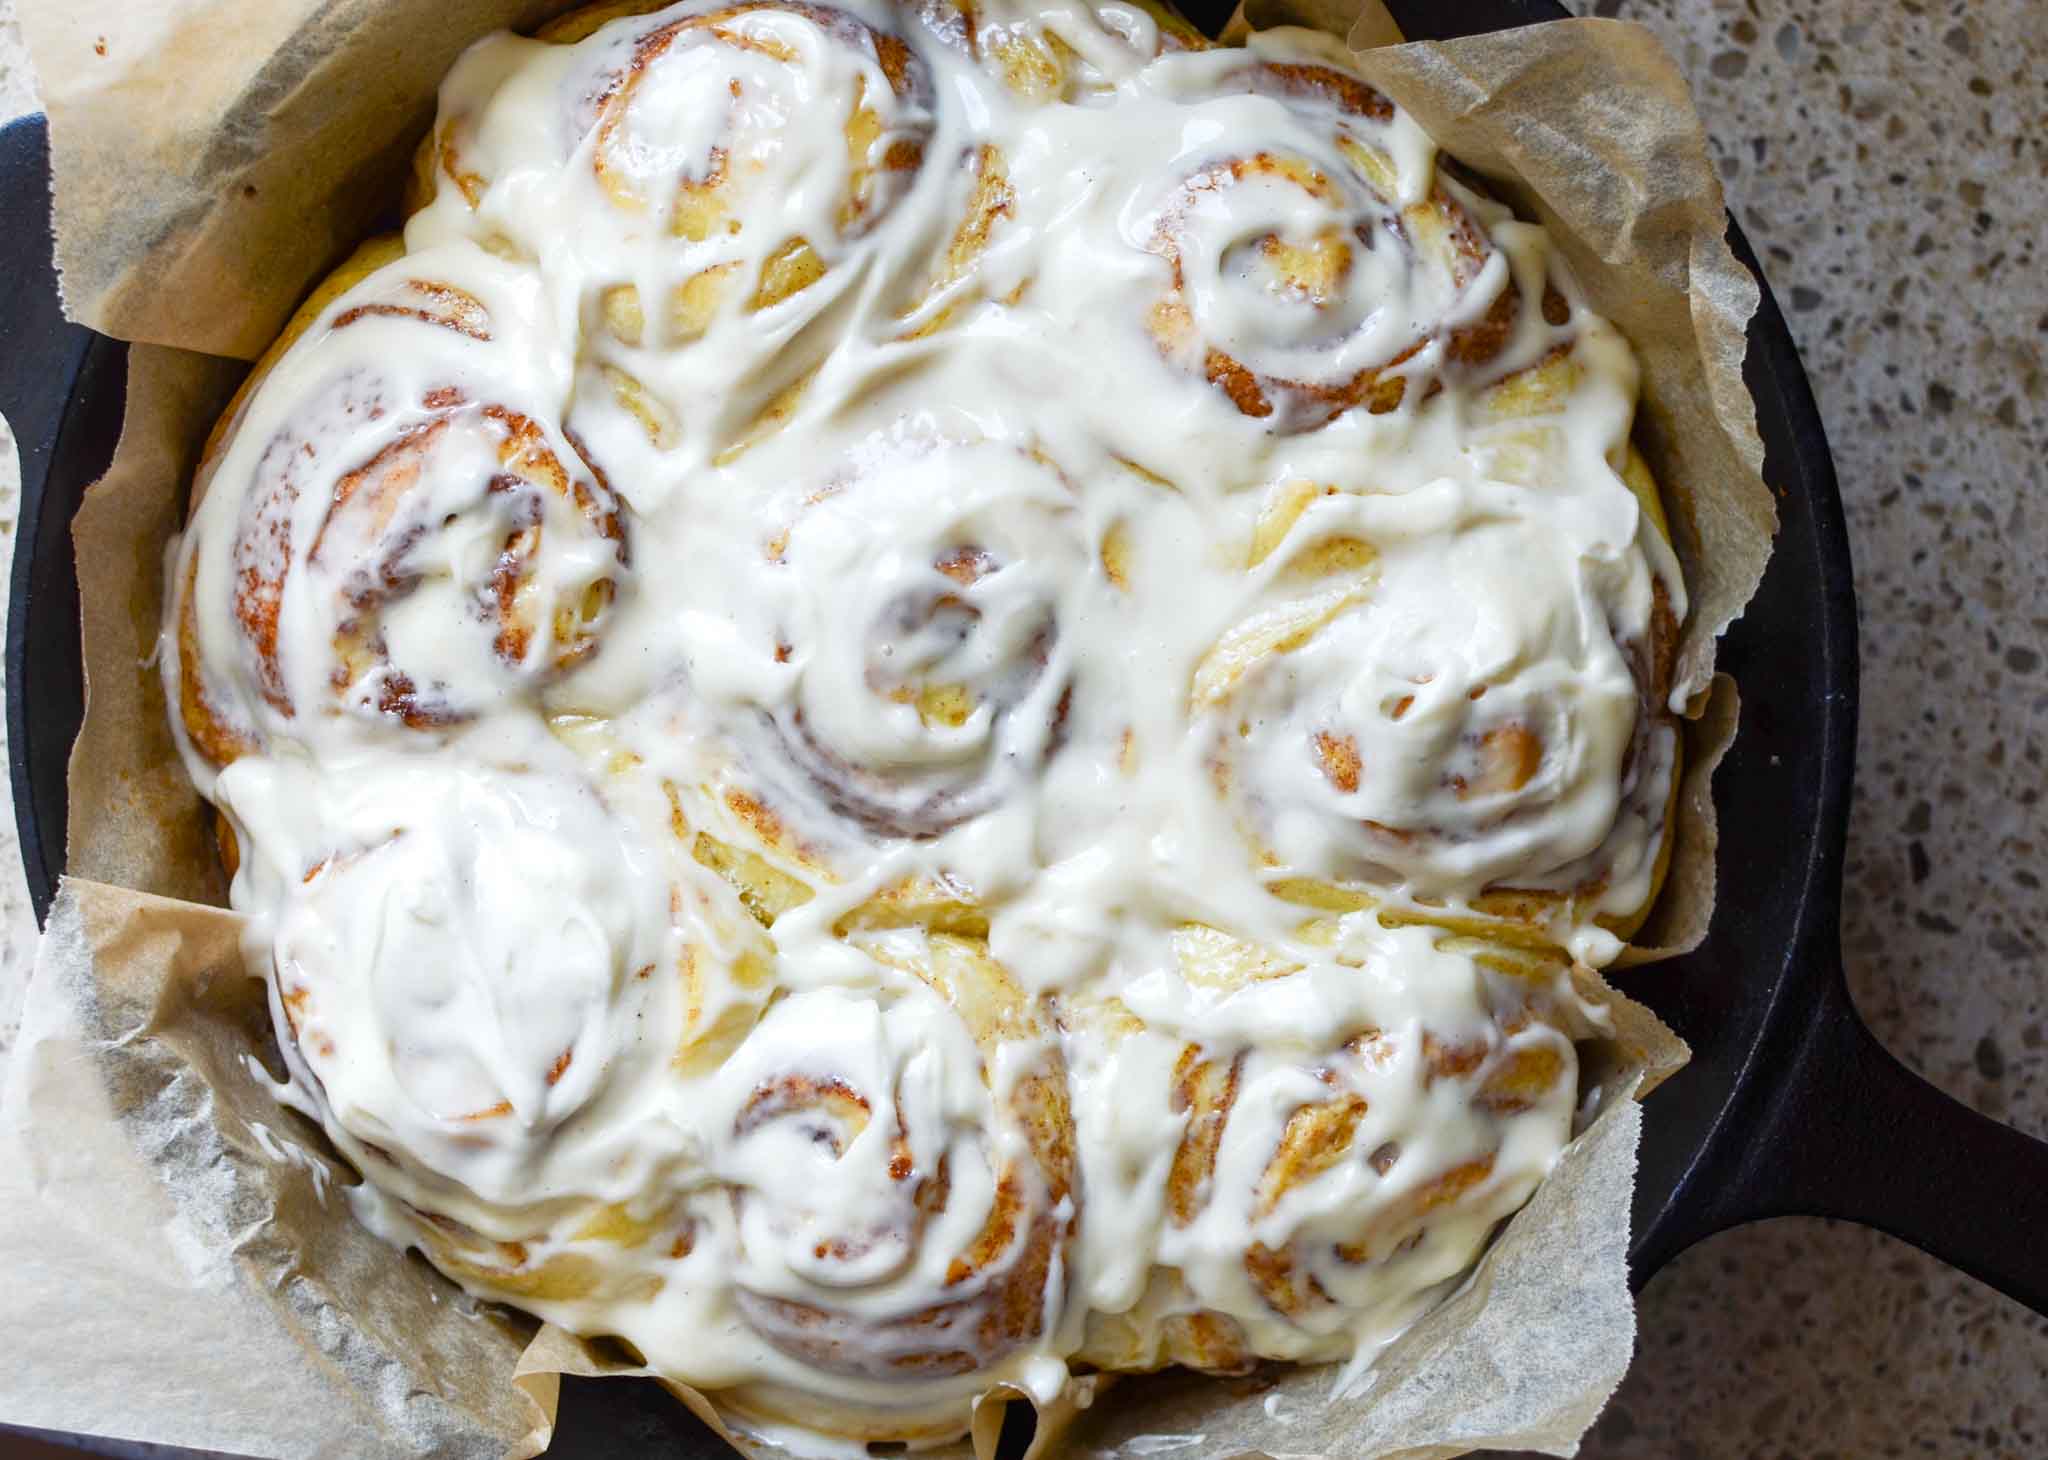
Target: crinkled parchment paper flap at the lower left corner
column 181, row 1264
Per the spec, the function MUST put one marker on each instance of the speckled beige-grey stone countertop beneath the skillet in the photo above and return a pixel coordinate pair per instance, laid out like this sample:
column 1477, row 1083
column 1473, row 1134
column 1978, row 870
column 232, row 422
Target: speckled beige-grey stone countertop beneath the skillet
column 1891, row 167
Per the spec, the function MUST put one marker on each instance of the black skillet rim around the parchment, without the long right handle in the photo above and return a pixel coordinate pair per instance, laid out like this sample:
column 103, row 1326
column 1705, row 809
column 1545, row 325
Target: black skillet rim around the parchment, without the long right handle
column 1695, row 1146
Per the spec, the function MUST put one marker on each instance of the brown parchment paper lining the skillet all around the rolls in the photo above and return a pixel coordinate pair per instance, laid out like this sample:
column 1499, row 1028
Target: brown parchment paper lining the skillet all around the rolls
column 181, row 1256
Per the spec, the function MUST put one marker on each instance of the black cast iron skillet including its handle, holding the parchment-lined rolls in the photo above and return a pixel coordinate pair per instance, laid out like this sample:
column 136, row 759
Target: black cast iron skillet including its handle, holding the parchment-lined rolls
column 1789, row 1107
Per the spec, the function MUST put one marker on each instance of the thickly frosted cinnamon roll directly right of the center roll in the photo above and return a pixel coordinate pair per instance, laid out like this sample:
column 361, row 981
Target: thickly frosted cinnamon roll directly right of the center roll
column 1388, row 730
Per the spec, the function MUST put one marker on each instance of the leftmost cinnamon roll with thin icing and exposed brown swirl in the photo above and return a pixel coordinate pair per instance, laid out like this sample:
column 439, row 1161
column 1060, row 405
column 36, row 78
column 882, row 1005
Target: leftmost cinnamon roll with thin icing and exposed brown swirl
column 392, row 495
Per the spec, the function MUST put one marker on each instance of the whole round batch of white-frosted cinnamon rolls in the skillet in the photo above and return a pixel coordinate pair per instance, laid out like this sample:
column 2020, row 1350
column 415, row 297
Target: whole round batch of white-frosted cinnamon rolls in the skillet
column 931, row 697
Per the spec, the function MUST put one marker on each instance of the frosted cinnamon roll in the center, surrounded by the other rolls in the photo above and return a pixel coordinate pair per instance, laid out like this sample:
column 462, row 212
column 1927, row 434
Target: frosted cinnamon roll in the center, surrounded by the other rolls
column 919, row 617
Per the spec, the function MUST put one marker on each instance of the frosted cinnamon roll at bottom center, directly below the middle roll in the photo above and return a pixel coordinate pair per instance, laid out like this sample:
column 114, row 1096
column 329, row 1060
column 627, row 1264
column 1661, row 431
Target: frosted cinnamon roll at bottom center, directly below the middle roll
column 902, row 1178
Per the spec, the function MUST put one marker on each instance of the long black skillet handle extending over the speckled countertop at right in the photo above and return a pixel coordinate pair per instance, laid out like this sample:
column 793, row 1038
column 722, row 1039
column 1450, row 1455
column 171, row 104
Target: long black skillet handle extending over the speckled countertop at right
column 1857, row 1135
